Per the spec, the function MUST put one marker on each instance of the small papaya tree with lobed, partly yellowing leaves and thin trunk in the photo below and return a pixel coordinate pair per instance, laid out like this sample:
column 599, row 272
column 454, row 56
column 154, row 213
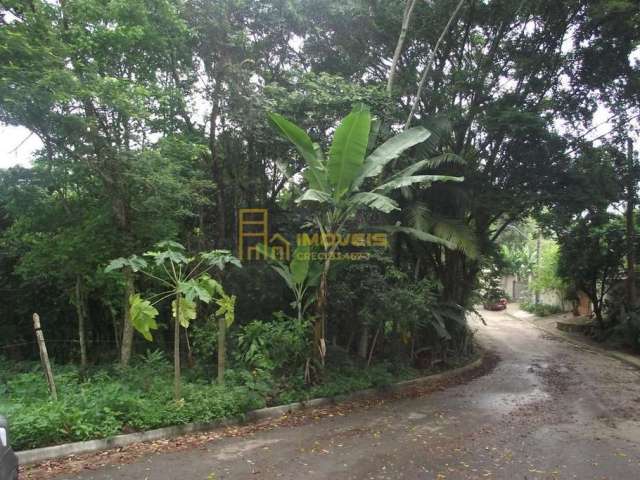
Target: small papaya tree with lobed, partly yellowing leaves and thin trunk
column 186, row 280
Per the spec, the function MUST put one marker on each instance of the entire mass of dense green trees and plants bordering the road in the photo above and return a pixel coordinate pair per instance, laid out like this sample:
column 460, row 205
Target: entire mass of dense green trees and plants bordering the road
column 160, row 119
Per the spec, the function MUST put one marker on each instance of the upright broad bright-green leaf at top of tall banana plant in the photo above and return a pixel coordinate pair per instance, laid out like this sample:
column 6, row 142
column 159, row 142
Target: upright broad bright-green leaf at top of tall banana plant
column 348, row 149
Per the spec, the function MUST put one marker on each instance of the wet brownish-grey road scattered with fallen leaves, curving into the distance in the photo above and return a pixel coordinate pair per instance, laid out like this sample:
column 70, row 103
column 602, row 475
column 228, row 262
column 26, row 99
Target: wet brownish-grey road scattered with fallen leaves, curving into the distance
column 548, row 410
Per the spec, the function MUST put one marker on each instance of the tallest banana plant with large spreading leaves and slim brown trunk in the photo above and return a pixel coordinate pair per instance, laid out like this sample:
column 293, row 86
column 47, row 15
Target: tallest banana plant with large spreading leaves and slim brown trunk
column 347, row 179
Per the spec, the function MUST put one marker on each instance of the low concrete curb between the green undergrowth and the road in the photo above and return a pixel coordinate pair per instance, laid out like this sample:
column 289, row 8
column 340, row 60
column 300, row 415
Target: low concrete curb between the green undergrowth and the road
column 47, row 453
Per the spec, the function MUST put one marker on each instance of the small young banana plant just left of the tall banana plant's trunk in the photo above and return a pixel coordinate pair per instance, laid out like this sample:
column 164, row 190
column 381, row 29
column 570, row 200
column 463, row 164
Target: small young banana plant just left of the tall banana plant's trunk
column 301, row 275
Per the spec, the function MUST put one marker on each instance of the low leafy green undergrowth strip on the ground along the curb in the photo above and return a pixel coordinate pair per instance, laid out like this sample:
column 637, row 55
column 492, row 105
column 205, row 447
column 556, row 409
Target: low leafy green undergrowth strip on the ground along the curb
column 107, row 400
